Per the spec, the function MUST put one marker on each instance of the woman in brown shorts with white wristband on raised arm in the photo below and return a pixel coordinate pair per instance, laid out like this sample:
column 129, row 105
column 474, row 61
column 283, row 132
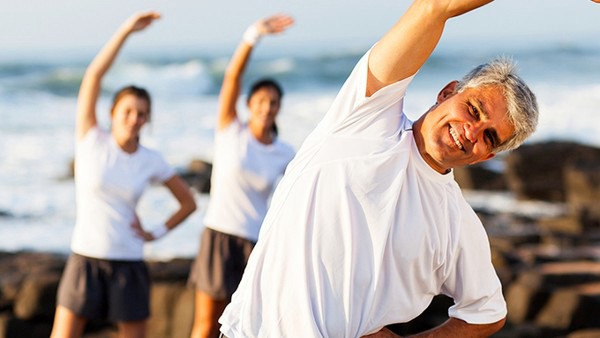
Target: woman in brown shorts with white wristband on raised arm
column 249, row 159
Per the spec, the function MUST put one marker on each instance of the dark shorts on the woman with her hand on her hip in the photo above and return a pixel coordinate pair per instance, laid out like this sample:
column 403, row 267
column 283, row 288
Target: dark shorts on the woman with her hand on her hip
column 118, row 291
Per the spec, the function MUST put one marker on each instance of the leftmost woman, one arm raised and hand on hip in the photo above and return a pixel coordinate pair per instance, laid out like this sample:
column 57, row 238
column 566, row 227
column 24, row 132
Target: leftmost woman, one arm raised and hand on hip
column 105, row 276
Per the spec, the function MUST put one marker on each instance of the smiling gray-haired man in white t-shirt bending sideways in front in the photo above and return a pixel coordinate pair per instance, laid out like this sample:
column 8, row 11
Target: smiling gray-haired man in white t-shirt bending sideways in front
column 368, row 224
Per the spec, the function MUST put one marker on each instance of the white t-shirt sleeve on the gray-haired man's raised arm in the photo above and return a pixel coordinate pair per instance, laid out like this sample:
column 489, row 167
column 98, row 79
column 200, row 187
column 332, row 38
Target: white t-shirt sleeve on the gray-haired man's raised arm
column 354, row 113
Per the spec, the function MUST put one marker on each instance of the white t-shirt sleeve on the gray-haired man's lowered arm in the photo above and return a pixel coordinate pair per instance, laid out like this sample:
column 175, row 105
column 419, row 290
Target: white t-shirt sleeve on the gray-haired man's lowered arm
column 473, row 283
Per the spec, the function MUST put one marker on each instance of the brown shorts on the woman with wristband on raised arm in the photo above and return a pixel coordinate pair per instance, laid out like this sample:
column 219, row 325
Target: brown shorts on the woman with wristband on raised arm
column 220, row 263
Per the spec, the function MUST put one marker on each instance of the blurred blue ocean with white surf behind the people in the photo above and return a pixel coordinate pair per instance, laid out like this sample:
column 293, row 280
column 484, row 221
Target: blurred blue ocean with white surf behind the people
column 38, row 102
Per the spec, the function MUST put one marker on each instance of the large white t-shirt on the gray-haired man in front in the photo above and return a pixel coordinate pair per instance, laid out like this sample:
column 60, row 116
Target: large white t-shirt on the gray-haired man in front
column 362, row 233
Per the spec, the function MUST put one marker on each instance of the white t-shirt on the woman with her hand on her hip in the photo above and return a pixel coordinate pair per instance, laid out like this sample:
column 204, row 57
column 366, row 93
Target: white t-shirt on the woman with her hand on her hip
column 109, row 183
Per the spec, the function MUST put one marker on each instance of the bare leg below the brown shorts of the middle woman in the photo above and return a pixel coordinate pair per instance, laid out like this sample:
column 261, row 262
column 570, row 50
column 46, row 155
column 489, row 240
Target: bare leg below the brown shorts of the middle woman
column 207, row 311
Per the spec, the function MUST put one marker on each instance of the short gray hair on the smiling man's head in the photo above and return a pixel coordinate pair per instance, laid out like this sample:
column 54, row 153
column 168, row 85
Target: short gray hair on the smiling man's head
column 520, row 100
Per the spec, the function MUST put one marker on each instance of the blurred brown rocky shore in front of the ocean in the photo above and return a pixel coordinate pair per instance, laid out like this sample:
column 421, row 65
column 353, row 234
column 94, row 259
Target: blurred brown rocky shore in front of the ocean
column 549, row 266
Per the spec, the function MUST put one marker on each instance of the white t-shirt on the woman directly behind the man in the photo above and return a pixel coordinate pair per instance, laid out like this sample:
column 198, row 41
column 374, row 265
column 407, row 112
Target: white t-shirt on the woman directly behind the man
column 244, row 174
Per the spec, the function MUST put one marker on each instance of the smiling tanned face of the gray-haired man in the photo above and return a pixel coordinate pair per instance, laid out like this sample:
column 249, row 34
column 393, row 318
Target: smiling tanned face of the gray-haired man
column 463, row 128
